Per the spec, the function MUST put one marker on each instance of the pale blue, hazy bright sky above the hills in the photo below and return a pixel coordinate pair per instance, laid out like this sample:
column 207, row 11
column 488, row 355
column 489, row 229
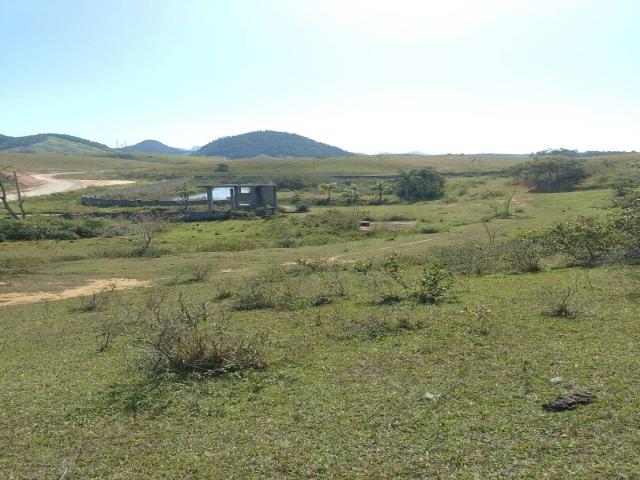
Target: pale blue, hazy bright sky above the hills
column 369, row 76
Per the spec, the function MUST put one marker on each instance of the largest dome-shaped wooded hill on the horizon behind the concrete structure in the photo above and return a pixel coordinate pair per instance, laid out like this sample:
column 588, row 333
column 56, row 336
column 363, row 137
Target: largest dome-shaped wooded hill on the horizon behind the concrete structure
column 271, row 144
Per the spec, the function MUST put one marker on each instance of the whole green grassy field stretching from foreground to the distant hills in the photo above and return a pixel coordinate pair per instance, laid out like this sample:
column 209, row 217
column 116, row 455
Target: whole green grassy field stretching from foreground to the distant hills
column 350, row 386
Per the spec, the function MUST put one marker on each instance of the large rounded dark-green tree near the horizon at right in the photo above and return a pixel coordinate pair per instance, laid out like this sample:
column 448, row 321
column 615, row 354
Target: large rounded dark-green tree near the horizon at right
column 551, row 174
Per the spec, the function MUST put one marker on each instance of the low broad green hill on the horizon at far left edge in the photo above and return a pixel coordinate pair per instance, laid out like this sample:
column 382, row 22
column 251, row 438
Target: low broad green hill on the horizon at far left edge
column 52, row 143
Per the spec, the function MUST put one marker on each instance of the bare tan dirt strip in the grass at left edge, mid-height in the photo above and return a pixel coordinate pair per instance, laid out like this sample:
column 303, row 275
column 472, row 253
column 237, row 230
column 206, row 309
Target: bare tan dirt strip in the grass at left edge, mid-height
column 93, row 286
